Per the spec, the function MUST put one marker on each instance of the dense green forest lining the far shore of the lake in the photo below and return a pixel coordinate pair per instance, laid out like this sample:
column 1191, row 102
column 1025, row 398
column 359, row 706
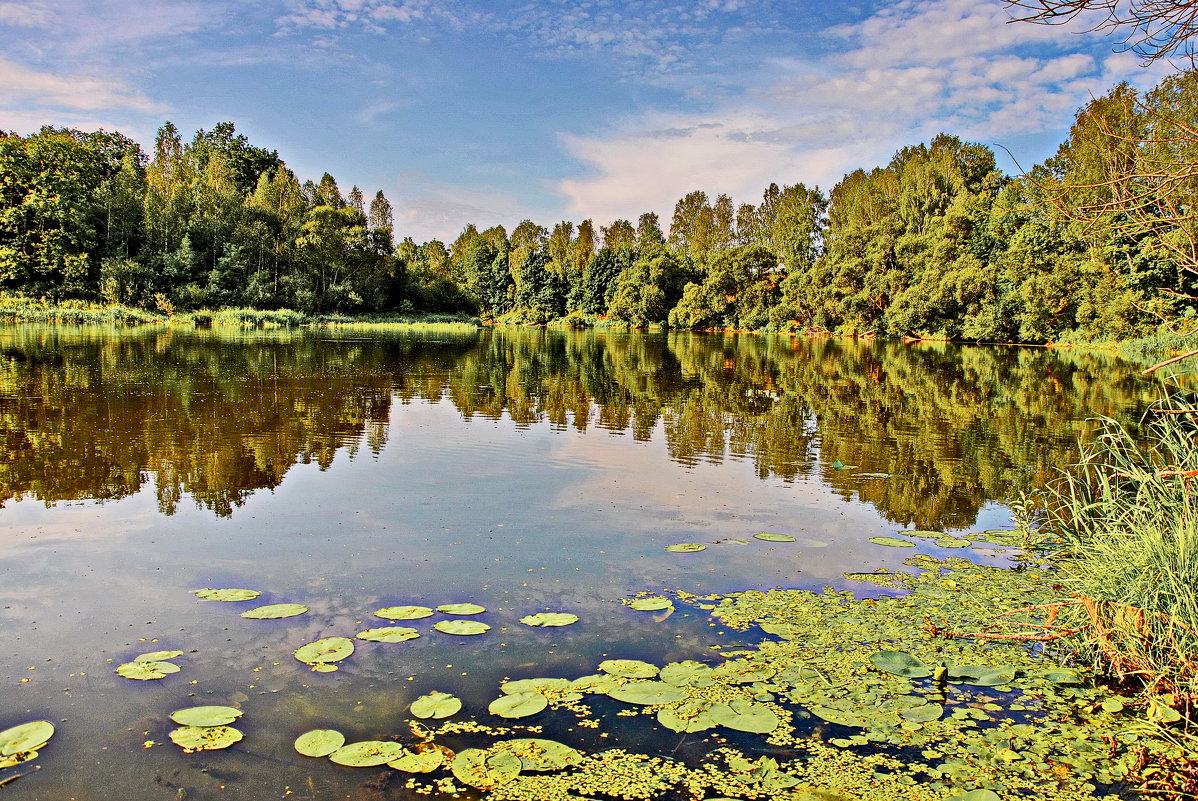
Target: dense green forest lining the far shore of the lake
column 937, row 244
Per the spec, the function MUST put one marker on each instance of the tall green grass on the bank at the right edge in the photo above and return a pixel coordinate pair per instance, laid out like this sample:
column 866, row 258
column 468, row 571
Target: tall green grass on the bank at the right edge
column 1130, row 517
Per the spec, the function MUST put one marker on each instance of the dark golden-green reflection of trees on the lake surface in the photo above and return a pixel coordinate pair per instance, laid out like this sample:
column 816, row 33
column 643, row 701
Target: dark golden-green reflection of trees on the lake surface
column 216, row 417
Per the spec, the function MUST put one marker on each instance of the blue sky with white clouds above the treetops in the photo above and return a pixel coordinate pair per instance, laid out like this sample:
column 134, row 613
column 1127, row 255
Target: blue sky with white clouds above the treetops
column 493, row 112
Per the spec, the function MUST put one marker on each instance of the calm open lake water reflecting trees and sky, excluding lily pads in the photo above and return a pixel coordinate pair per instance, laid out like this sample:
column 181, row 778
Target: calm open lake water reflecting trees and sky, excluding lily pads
column 525, row 471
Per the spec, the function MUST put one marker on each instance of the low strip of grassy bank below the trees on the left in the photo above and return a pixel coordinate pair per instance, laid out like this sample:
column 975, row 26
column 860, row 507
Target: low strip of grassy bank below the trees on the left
column 78, row 313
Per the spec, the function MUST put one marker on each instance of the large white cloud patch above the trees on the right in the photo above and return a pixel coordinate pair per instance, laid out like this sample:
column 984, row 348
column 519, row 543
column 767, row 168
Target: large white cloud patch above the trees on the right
column 905, row 75
